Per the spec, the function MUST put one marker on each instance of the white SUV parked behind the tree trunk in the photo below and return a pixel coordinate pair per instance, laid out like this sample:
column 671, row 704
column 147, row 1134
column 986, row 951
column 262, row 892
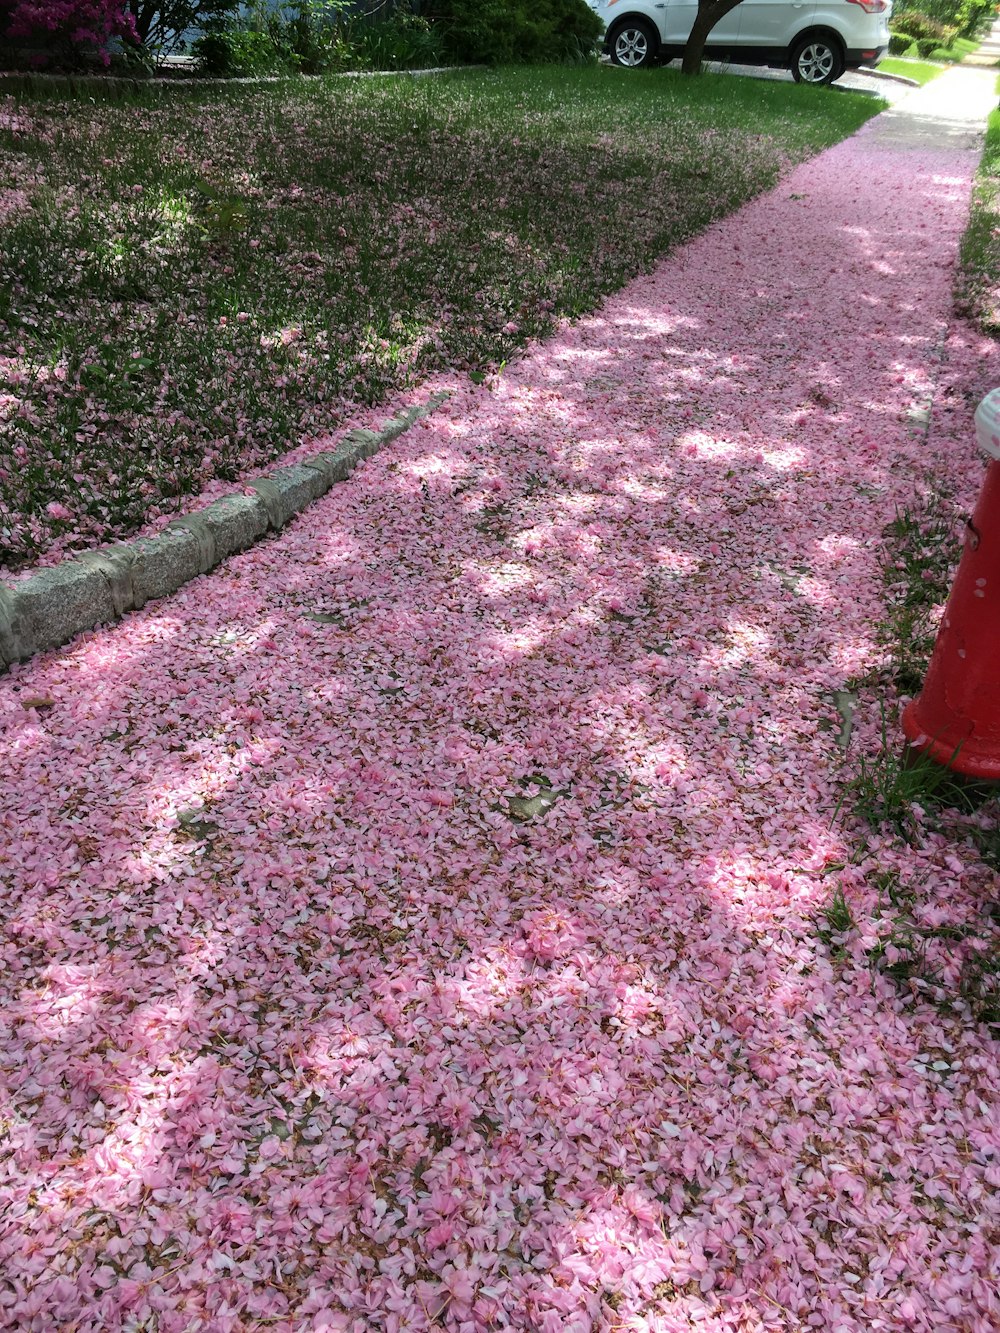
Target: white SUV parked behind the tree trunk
column 817, row 39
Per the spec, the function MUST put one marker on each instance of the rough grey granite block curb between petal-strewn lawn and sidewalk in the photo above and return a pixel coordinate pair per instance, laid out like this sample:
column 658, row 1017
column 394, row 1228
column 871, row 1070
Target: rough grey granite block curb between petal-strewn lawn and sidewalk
column 53, row 606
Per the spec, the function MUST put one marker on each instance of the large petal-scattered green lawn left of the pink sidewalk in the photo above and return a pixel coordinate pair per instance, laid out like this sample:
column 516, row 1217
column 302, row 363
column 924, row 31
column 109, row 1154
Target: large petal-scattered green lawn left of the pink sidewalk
column 194, row 282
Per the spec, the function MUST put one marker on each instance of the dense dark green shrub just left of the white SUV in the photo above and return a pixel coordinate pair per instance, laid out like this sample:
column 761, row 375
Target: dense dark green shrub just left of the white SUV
column 498, row 33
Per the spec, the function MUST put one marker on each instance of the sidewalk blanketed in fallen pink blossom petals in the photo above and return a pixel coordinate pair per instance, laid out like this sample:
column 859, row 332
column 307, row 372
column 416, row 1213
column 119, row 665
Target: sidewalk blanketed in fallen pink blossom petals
column 413, row 926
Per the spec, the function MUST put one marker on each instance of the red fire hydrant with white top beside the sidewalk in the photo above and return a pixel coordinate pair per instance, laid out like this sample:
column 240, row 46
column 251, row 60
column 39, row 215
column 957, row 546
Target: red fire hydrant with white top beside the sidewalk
column 957, row 716
